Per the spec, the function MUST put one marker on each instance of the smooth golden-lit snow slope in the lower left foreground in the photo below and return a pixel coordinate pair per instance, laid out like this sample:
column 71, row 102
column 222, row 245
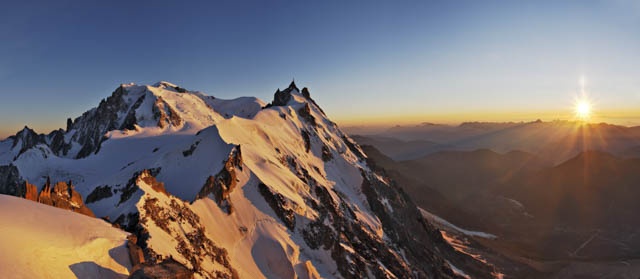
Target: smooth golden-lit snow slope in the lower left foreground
column 40, row 241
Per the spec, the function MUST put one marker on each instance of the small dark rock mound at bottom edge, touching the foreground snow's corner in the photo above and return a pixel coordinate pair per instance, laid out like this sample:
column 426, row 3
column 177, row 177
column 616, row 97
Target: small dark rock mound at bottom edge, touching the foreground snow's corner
column 167, row 269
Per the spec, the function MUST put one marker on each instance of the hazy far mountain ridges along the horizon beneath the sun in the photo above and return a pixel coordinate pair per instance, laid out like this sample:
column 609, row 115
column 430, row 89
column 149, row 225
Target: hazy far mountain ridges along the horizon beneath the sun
column 555, row 141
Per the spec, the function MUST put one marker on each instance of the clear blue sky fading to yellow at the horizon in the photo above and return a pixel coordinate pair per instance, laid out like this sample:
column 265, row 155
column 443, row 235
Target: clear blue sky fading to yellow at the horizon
column 365, row 62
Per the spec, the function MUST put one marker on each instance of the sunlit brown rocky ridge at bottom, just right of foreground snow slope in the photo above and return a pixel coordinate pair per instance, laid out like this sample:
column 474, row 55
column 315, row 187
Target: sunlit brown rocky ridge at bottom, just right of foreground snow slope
column 178, row 221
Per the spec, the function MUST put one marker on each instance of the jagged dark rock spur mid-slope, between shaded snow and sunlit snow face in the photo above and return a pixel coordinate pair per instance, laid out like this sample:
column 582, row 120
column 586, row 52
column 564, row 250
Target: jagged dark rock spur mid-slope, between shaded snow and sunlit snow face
column 223, row 183
